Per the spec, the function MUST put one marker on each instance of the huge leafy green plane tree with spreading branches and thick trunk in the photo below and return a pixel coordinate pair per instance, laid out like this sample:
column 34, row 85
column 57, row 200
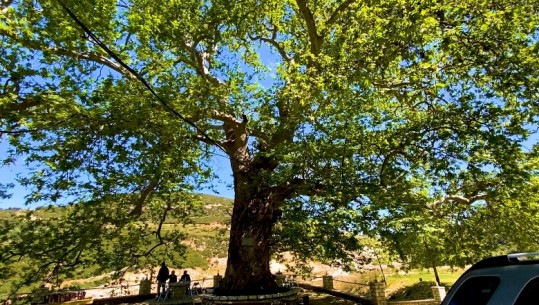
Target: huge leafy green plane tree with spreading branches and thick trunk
column 327, row 111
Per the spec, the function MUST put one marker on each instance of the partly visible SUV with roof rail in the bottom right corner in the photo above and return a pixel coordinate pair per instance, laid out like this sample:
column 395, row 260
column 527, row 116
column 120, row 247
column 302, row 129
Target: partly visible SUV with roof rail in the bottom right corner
column 511, row 279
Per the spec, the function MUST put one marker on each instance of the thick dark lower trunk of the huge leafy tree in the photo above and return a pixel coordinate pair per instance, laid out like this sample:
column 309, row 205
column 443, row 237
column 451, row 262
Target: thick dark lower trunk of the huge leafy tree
column 248, row 270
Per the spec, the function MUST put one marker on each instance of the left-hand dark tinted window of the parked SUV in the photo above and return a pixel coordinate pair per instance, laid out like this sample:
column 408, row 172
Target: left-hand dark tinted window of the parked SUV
column 475, row 291
